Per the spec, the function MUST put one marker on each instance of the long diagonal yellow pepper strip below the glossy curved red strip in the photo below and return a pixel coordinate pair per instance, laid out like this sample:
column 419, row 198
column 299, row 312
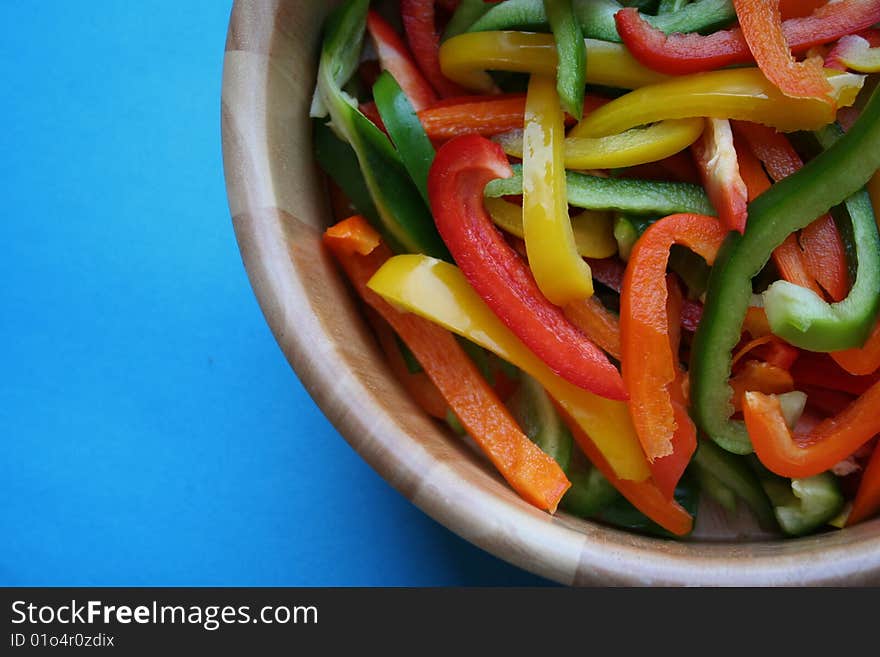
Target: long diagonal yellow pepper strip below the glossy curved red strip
column 439, row 292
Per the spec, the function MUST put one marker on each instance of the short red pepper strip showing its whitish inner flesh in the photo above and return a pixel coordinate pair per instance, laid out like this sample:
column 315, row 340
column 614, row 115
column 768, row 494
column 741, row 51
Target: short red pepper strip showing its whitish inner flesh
column 716, row 161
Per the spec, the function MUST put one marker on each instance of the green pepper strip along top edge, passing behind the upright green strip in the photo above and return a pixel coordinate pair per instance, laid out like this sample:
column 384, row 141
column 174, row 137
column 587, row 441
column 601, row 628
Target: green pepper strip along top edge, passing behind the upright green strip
column 596, row 17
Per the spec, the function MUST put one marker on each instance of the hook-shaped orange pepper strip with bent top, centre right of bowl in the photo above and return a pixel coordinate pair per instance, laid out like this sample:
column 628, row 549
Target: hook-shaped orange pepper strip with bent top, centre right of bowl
column 648, row 364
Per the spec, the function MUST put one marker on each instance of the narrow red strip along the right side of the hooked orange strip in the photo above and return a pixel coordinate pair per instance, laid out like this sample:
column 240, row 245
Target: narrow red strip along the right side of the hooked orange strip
column 667, row 470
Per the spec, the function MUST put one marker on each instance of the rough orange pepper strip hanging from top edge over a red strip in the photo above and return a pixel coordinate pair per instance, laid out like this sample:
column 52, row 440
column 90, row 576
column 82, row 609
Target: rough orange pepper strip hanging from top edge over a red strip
column 761, row 25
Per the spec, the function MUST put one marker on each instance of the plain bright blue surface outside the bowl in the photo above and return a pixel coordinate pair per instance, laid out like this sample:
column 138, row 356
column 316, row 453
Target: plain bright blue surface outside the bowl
column 152, row 431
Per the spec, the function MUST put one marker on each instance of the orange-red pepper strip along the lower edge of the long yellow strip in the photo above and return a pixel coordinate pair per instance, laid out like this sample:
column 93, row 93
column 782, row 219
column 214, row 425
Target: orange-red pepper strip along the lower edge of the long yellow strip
column 645, row 495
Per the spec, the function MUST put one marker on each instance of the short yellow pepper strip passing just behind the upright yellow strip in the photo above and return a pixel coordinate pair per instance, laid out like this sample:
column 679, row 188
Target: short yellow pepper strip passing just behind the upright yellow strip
column 627, row 149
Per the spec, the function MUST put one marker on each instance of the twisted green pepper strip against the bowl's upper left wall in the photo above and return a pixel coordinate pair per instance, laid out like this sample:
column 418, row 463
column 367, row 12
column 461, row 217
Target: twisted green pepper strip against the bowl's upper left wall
column 405, row 219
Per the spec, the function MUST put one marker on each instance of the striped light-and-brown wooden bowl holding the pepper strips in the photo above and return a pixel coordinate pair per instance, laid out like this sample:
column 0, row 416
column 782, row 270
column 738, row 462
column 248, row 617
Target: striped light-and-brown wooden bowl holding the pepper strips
column 279, row 209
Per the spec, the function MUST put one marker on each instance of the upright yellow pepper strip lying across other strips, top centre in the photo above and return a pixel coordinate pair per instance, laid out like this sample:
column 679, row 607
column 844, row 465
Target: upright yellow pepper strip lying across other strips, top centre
column 560, row 272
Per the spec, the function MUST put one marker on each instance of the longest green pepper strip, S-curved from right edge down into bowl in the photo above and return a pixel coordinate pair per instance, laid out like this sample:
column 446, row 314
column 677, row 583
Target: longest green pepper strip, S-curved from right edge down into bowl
column 787, row 206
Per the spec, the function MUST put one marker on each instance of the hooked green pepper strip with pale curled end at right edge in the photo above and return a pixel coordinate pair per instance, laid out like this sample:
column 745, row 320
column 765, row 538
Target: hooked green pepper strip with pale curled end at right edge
column 802, row 318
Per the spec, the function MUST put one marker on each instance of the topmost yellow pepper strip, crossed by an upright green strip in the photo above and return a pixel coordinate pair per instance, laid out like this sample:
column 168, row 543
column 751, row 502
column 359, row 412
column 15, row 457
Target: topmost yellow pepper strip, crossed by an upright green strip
column 466, row 58
